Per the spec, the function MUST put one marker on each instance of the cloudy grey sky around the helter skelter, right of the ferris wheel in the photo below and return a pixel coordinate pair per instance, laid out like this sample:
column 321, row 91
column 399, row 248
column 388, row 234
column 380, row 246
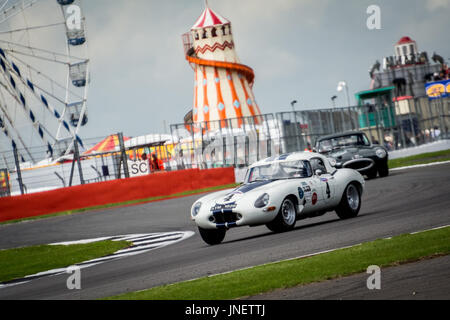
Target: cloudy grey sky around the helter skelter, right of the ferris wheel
column 299, row 49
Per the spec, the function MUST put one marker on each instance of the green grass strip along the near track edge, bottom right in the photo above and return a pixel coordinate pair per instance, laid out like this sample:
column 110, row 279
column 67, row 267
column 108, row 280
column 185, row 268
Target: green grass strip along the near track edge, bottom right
column 286, row 274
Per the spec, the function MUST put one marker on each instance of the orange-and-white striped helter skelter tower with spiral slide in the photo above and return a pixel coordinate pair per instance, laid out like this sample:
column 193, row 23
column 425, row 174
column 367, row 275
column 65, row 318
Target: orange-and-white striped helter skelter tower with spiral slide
column 223, row 93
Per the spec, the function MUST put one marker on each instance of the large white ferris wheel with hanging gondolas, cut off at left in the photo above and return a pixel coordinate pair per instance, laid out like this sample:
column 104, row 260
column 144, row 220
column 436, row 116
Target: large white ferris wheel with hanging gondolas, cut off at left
column 44, row 77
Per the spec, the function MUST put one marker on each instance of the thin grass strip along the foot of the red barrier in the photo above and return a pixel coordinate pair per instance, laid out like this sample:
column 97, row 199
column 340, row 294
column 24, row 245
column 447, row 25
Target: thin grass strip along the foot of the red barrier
column 120, row 204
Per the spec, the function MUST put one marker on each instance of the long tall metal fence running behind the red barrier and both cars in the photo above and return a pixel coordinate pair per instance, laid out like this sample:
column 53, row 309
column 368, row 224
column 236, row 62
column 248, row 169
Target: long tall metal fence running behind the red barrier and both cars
column 234, row 142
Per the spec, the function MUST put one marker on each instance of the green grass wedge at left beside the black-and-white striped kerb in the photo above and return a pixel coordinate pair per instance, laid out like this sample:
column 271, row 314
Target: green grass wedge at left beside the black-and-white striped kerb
column 22, row 262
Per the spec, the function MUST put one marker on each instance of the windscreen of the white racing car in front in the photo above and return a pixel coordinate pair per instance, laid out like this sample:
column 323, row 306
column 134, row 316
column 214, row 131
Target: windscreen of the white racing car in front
column 279, row 170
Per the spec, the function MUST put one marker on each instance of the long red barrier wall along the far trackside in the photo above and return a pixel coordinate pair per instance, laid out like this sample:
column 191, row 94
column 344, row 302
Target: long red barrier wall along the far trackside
column 116, row 191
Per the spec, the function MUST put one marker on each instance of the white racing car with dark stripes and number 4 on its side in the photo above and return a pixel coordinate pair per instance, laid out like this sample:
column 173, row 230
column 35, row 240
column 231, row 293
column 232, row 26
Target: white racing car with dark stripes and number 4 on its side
column 279, row 191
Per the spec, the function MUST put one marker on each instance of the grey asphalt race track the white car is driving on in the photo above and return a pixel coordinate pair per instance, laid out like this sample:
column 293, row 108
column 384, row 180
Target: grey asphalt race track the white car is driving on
column 407, row 201
